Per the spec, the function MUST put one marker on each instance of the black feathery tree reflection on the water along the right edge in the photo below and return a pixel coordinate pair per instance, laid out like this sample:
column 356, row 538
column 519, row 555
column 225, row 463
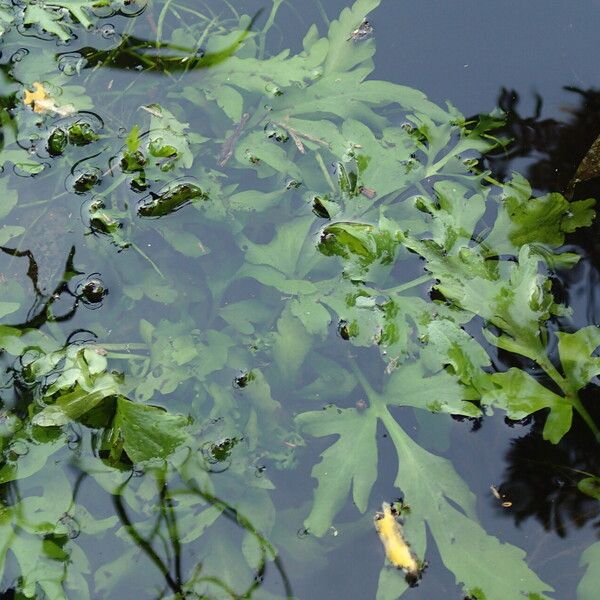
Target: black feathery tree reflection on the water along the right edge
column 541, row 478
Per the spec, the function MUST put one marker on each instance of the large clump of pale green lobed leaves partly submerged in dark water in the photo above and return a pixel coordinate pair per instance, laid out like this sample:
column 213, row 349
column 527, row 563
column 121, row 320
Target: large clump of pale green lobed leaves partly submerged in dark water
column 240, row 371
